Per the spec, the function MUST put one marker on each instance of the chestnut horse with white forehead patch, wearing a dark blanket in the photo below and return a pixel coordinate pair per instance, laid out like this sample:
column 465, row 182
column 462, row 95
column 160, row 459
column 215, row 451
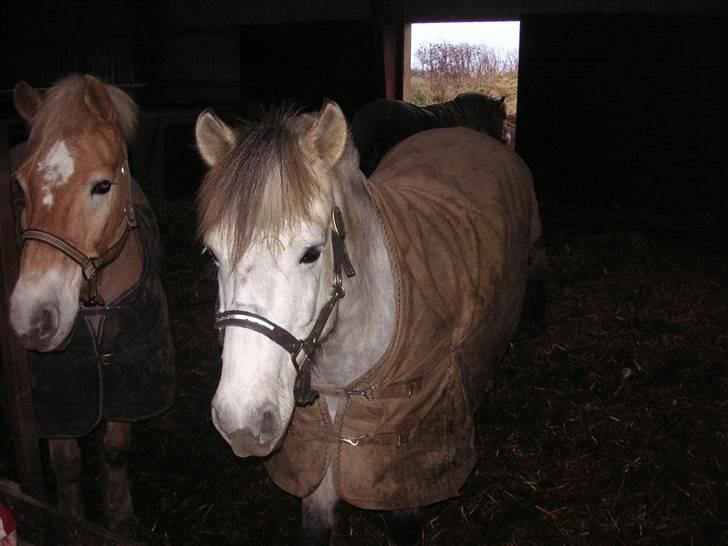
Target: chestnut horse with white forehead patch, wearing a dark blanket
column 88, row 302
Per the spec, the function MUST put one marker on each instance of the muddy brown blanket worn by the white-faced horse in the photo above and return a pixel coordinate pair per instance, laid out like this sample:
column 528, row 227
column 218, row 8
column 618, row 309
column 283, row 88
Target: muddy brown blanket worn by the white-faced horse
column 462, row 223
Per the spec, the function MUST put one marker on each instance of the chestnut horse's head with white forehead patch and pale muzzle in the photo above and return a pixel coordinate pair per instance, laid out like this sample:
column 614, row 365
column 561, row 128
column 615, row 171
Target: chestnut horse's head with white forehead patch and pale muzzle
column 76, row 184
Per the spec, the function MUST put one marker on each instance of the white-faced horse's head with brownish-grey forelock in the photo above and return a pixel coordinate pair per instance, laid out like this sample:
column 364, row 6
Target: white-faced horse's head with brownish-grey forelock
column 265, row 212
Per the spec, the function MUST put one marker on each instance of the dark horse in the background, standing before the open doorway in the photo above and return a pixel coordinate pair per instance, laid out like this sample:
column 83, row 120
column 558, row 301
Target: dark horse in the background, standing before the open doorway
column 379, row 125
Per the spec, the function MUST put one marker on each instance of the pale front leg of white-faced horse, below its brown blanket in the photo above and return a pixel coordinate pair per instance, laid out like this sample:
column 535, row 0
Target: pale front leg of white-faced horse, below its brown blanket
column 320, row 525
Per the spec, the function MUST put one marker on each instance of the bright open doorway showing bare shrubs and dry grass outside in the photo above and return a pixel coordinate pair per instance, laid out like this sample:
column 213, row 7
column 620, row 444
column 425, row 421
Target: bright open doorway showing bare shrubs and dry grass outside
column 447, row 59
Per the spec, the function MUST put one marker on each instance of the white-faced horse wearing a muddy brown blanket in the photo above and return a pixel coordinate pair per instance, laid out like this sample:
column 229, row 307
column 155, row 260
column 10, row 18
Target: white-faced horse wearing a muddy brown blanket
column 433, row 251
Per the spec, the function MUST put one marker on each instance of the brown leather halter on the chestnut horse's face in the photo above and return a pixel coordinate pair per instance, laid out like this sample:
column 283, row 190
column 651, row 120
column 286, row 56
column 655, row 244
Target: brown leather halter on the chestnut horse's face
column 90, row 265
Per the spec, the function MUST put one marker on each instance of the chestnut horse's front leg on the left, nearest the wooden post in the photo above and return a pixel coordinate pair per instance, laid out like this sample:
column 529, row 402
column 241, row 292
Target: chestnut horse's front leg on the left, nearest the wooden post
column 66, row 463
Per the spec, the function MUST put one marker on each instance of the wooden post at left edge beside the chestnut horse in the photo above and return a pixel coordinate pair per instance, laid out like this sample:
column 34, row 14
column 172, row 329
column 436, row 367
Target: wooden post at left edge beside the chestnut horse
column 16, row 373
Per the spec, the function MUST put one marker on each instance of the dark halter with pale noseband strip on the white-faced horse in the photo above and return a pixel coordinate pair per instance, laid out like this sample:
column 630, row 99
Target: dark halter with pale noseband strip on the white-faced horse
column 302, row 390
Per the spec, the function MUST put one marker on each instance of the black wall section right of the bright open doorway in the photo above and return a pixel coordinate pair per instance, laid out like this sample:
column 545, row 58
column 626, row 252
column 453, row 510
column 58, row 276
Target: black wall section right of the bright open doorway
column 625, row 108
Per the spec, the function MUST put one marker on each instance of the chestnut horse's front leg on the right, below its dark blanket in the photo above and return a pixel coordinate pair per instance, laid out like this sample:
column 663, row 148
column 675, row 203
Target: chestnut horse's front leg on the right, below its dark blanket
column 118, row 506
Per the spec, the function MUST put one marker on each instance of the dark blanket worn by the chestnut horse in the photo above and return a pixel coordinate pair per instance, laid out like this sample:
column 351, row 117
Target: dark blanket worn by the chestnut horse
column 121, row 370
